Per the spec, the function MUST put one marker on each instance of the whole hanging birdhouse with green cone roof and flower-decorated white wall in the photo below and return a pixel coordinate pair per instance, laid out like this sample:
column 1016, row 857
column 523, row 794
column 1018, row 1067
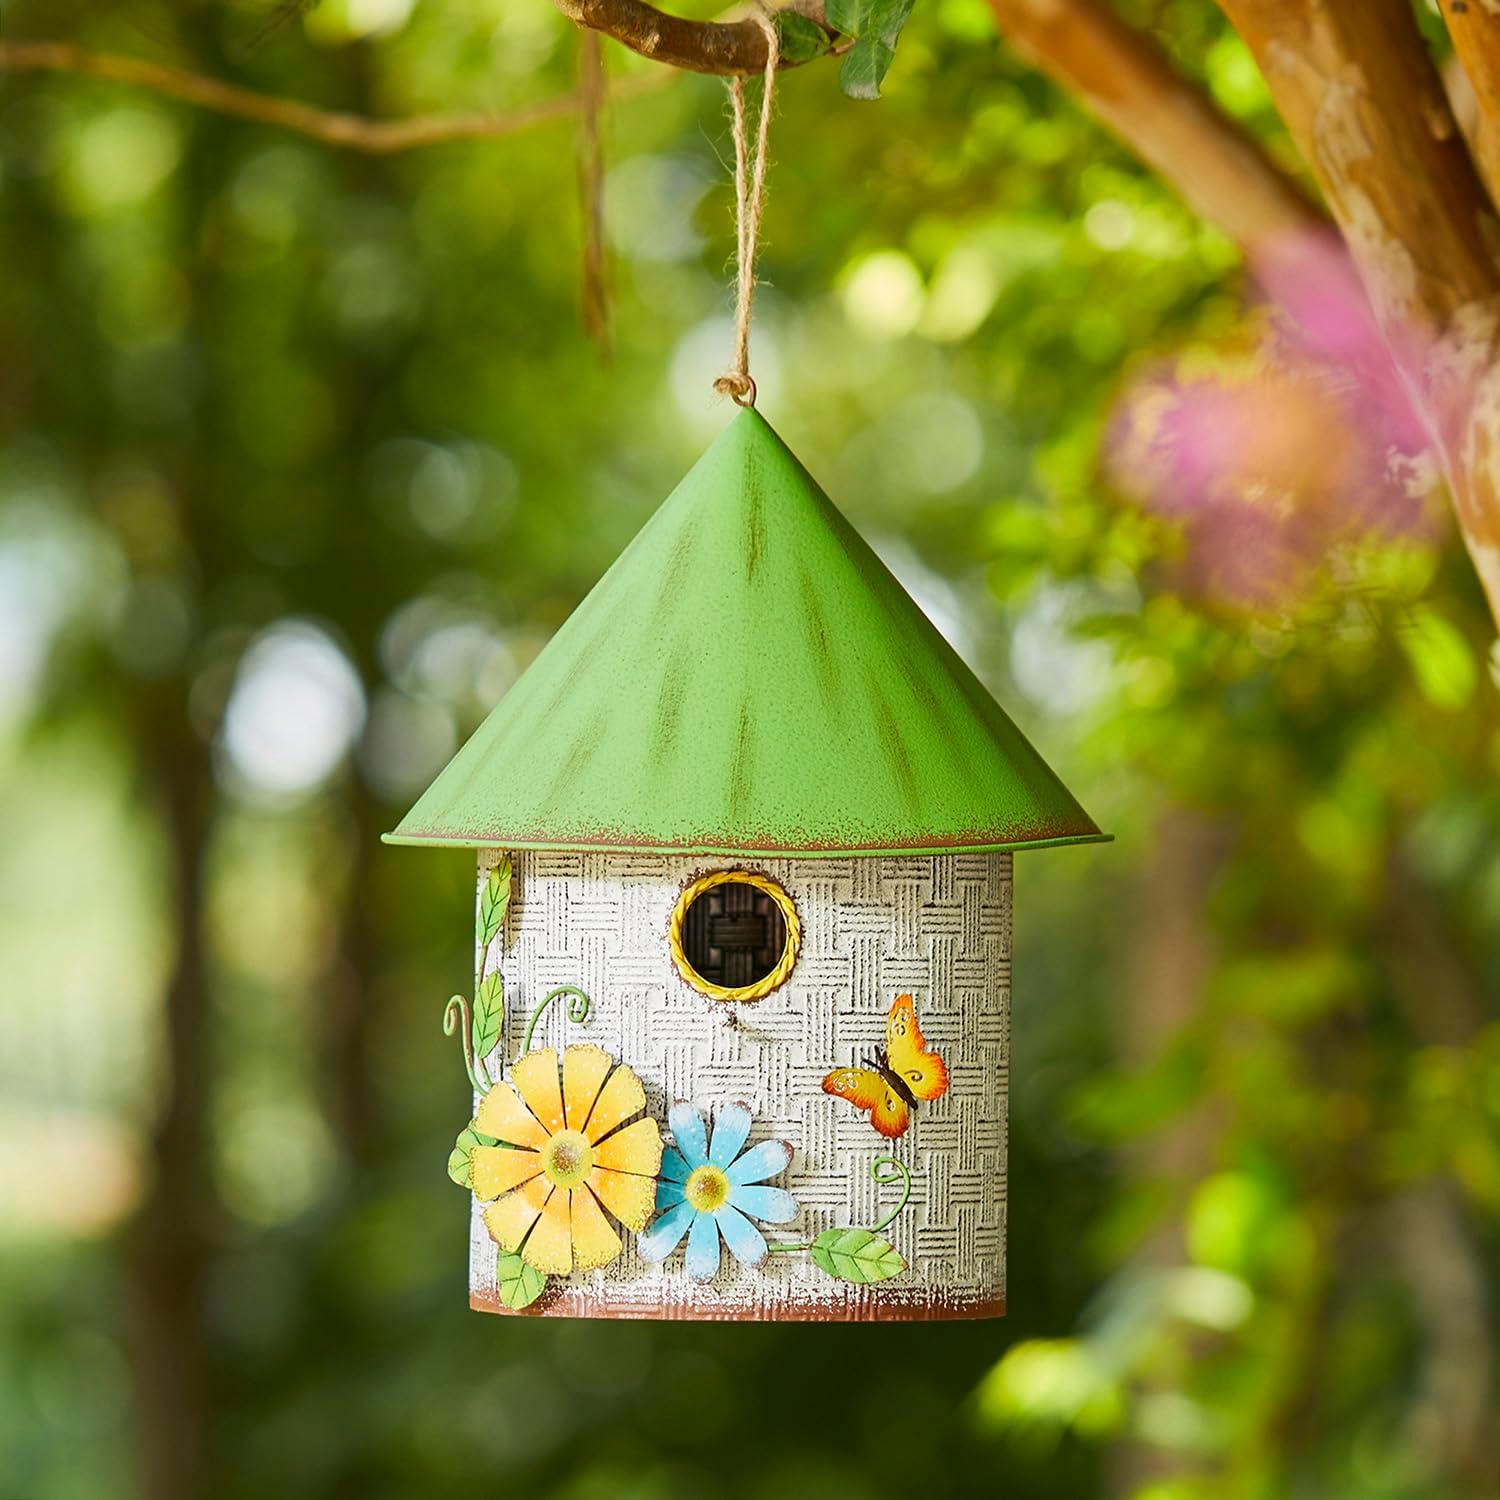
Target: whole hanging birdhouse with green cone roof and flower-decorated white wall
column 740, row 1036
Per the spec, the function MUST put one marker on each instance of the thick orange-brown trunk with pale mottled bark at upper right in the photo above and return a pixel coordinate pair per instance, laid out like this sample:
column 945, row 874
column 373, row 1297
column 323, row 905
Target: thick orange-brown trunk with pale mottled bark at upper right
column 1355, row 85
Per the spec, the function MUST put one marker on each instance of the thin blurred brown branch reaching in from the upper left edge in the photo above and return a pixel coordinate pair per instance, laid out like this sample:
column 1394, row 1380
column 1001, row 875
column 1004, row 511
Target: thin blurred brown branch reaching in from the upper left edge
column 334, row 128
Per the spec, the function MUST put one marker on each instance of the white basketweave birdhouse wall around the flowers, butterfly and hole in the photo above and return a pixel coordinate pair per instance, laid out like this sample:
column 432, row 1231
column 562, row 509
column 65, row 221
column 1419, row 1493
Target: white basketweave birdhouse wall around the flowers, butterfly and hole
column 935, row 928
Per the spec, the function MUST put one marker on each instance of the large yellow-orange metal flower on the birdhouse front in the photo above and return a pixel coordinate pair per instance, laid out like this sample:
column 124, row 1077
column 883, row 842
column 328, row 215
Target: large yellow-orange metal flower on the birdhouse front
column 574, row 1157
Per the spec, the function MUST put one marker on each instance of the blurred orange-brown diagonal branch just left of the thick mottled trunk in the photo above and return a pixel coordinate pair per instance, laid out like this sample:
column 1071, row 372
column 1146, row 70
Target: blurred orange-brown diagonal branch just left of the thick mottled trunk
column 1130, row 85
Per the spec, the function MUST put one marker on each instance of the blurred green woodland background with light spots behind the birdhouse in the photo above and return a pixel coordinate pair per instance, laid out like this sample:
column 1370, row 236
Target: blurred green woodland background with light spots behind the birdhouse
column 305, row 455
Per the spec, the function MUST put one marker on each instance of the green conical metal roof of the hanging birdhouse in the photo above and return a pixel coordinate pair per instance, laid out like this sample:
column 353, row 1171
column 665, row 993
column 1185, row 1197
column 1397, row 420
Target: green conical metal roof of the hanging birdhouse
column 748, row 679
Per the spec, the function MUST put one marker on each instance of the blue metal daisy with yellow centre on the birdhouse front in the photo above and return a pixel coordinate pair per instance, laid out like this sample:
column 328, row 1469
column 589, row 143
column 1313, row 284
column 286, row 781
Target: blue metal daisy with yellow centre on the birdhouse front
column 715, row 1190
